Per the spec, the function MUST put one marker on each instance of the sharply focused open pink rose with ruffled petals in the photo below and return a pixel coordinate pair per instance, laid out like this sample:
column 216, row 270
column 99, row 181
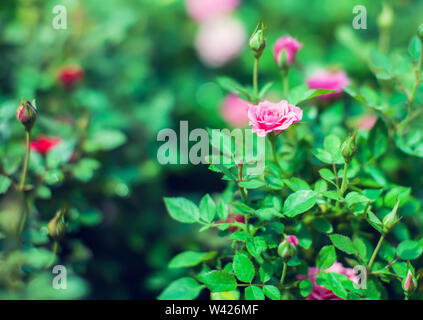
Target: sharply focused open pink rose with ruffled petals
column 273, row 117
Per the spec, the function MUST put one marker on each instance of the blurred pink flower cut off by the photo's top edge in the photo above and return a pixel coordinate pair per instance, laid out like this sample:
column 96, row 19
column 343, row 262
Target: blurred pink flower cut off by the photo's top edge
column 201, row 10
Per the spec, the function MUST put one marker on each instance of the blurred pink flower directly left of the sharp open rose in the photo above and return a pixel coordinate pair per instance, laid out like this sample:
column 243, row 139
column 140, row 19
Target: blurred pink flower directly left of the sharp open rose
column 235, row 110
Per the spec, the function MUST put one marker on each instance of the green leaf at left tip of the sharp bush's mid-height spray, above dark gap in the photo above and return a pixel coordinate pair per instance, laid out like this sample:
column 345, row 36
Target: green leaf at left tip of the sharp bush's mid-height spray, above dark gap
column 182, row 210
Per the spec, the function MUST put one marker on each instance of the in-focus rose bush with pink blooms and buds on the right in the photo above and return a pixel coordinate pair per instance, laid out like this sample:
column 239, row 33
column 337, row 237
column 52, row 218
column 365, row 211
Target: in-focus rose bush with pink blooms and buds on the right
column 323, row 221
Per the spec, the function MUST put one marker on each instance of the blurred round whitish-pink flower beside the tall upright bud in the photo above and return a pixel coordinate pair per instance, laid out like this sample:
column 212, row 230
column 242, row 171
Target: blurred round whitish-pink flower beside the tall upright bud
column 220, row 40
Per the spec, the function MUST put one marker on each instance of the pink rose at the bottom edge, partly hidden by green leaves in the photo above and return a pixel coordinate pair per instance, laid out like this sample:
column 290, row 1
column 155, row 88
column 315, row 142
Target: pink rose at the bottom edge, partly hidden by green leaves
column 320, row 292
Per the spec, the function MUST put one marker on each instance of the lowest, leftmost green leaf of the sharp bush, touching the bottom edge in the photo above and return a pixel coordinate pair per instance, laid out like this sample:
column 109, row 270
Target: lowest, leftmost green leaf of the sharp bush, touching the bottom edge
column 182, row 289
